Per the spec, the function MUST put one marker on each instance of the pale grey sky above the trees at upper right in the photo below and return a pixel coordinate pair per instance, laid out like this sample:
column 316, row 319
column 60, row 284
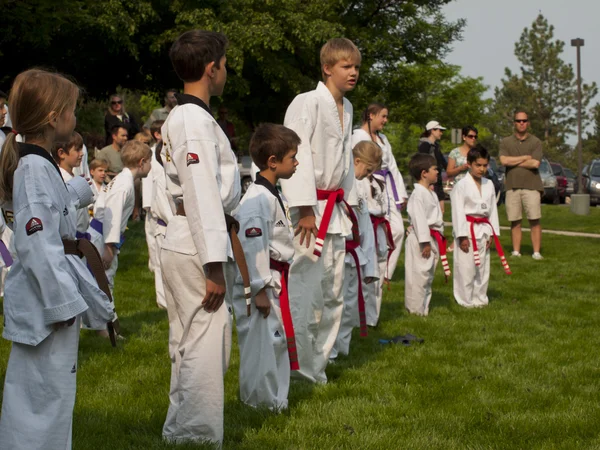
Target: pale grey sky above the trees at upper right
column 494, row 26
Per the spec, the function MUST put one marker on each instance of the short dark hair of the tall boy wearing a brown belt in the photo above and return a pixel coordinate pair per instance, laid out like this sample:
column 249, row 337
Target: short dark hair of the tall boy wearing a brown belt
column 193, row 50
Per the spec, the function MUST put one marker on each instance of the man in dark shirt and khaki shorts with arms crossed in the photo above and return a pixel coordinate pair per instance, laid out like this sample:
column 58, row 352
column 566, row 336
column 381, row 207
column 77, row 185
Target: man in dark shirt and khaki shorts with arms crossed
column 521, row 153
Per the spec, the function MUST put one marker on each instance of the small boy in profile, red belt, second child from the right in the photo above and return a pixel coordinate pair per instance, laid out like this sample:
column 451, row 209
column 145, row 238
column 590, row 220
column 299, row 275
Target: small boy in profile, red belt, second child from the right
column 425, row 242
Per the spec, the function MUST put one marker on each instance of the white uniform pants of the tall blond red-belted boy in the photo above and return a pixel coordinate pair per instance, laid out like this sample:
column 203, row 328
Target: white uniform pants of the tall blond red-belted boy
column 316, row 302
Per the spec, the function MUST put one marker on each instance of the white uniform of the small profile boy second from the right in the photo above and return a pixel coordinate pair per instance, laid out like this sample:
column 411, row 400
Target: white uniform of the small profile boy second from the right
column 424, row 213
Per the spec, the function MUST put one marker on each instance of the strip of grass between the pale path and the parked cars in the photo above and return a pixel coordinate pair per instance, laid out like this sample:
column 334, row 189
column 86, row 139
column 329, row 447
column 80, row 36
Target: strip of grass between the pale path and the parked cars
column 554, row 217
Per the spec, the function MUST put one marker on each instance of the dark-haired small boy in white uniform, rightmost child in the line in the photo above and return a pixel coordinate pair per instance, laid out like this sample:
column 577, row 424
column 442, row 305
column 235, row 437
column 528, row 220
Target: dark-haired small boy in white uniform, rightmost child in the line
column 474, row 223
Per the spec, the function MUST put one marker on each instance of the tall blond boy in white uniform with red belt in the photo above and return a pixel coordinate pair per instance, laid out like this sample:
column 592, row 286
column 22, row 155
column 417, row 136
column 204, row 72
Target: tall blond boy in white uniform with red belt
column 325, row 177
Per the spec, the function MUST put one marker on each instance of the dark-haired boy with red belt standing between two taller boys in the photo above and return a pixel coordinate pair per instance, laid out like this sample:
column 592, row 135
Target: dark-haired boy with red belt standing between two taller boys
column 266, row 337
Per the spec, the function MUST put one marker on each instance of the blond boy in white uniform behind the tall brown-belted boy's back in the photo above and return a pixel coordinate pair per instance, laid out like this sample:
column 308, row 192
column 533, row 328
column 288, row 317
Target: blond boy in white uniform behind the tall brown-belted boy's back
column 114, row 206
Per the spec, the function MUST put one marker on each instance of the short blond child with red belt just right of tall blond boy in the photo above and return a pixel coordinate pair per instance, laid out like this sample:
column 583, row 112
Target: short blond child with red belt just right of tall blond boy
column 360, row 265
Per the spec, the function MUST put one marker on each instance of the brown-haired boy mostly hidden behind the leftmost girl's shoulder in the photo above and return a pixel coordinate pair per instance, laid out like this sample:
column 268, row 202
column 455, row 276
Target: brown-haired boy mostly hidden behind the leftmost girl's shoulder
column 68, row 156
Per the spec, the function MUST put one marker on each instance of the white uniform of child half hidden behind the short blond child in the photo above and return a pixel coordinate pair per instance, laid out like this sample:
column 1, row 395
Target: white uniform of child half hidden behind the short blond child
column 377, row 206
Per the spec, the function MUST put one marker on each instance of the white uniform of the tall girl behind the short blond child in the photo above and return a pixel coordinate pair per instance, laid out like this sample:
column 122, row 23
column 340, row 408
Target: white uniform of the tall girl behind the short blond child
column 389, row 167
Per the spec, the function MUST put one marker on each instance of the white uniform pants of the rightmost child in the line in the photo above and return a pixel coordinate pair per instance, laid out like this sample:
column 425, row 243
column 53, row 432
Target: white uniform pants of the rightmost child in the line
column 471, row 281
